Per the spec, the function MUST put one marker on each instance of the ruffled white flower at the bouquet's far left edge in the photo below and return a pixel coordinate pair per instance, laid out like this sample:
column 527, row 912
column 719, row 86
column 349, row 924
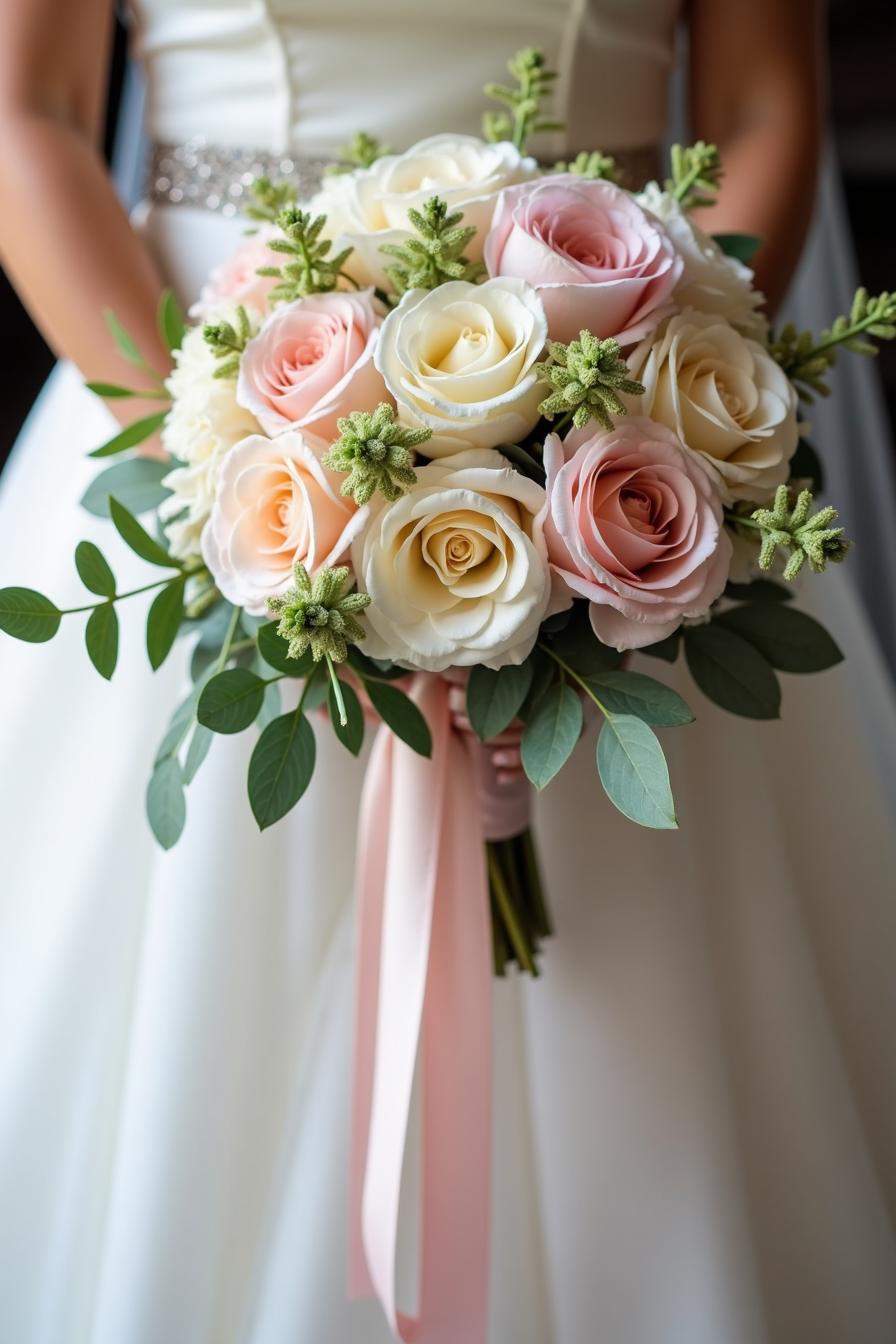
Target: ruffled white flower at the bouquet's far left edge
column 204, row 424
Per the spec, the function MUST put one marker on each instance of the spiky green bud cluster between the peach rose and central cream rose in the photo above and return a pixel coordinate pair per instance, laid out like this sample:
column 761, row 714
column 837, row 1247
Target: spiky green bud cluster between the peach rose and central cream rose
column 377, row 452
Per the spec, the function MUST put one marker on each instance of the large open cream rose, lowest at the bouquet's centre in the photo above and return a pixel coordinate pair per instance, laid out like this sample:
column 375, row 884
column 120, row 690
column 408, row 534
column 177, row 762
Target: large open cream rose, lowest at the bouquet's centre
column 457, row 568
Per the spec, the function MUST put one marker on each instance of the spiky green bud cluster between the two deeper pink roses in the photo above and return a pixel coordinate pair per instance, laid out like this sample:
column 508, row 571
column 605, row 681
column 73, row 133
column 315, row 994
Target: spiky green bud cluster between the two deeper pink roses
column 588, row 377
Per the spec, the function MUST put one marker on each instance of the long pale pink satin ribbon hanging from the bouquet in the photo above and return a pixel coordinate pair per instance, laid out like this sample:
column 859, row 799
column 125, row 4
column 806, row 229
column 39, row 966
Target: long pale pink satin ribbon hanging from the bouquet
column 425, row 982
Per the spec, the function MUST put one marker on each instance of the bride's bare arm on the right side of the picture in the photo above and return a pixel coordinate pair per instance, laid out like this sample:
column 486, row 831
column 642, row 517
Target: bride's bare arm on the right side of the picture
column 756, row 92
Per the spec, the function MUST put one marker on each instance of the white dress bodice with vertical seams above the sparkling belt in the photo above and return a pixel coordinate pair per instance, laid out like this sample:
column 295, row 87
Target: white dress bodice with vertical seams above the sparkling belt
column 302, row 77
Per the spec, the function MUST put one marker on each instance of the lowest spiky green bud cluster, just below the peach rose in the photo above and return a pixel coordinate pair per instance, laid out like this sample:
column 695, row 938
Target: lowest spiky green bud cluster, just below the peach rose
column 320, row 616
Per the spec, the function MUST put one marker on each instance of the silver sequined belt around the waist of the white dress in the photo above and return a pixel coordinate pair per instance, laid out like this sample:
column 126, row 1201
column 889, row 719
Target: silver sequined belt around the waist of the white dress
column 218, row 178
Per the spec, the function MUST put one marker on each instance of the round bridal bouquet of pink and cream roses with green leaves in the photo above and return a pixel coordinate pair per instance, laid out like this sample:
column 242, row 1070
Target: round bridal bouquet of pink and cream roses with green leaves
column 468, row 417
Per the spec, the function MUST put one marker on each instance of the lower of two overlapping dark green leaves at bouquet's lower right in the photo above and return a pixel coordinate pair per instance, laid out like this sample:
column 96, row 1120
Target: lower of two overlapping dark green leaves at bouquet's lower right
column 731, row 673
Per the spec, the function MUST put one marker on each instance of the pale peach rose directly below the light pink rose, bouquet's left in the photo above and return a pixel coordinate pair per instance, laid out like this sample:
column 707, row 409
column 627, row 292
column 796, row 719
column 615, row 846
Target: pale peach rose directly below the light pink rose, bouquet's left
column 275, row 505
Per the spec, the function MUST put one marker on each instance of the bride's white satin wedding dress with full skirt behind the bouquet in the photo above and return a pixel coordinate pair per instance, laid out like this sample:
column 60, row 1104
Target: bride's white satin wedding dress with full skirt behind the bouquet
column 695, row 1115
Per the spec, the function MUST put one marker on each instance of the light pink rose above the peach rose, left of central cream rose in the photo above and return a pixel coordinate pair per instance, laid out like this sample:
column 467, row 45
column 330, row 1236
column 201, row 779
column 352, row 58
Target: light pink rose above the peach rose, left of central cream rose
column 314, row 362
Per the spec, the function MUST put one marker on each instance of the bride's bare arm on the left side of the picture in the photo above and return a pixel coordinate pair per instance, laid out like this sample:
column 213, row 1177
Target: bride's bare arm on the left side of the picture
column 65, row 239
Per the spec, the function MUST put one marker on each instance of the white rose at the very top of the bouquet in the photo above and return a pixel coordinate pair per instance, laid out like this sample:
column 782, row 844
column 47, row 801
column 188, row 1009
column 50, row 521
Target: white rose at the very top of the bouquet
column 369, row 208
